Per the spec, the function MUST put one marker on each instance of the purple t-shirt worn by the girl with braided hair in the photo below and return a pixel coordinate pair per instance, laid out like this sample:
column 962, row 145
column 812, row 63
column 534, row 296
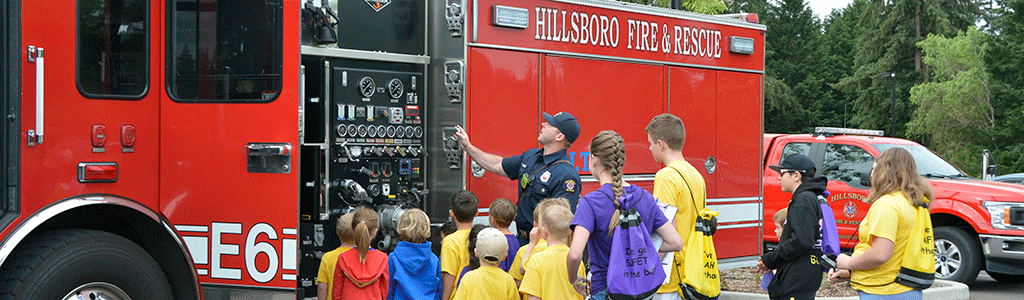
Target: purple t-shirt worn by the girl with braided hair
column 594, row 213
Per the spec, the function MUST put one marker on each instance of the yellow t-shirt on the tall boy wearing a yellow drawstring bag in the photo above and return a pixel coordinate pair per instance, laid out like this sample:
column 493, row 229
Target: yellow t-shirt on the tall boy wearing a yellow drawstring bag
column 670, row 189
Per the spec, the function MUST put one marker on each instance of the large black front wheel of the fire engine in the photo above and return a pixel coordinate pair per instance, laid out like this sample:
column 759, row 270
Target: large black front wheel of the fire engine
column 82, row 265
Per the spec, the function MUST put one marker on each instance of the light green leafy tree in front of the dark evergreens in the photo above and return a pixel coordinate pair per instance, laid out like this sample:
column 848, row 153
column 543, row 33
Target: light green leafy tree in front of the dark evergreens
column 955, row 111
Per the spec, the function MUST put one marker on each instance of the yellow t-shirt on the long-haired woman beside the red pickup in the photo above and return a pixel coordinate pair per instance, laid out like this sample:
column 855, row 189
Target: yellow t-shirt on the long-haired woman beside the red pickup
column 891, row 218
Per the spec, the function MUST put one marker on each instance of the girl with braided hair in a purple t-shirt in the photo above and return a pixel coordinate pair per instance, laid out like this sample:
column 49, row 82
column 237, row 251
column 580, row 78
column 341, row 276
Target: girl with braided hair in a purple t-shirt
column 598, row 215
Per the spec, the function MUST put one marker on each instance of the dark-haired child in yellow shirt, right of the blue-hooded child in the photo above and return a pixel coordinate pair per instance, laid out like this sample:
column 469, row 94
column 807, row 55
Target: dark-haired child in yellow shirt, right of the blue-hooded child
column 455, row 248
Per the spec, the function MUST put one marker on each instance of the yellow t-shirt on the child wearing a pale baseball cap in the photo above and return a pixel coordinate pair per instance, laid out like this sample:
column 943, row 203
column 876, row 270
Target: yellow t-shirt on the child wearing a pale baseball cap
column 488, row 282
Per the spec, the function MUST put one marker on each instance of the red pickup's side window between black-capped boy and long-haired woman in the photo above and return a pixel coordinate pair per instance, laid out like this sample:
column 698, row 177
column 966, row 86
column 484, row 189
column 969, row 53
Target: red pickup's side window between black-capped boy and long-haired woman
column 846, row 163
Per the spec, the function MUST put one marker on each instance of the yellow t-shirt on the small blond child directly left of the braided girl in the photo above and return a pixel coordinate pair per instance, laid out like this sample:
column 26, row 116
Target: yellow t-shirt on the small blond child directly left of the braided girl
column 546, row 276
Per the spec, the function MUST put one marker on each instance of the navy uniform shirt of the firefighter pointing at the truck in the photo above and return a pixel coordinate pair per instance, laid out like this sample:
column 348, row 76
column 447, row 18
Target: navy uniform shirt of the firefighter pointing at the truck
column 541, row 178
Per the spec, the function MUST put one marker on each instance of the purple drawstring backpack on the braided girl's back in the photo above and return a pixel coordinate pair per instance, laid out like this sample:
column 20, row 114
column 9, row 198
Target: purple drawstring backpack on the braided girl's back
column 634, row 267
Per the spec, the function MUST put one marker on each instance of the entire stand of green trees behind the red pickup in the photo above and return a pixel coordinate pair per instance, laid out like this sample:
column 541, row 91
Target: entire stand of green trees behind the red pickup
column 827, row 73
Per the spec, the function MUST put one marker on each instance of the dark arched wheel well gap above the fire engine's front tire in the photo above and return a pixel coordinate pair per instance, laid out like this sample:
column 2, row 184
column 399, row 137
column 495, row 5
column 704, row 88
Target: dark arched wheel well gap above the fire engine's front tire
column 139, row 228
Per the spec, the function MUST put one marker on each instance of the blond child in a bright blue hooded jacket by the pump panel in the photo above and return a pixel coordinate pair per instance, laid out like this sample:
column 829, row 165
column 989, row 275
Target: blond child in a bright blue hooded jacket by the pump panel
column 415, row 271
